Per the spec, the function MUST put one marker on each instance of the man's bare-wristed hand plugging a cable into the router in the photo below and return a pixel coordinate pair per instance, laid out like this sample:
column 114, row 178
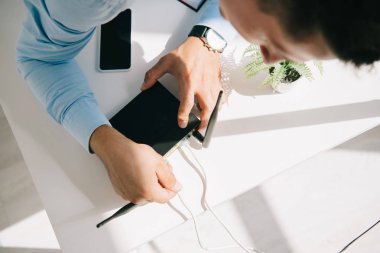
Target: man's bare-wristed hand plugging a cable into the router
column 137, row 172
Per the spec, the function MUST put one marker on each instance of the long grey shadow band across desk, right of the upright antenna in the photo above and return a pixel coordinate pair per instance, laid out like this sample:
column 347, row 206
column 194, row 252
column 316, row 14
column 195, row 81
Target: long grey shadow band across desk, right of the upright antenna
column 330, row 114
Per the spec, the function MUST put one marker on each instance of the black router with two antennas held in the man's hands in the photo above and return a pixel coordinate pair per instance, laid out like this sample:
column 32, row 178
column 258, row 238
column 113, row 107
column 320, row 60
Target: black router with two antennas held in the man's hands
column 151, row 118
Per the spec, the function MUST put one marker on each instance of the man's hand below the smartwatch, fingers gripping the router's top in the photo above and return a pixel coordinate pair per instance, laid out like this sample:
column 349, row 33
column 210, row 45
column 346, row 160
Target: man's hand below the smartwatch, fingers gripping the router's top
column 197, row 71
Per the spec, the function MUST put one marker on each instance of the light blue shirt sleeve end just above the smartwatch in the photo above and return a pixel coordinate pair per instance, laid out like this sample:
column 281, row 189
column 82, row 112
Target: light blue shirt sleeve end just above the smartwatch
column 212, row 18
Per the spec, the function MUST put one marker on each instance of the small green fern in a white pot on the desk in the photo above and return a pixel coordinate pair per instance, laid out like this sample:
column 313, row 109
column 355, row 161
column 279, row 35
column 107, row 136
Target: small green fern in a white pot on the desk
column 281, row 75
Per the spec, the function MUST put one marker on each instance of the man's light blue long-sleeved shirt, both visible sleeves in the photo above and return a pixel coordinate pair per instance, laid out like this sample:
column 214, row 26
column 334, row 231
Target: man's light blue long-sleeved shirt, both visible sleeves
column 53, row 34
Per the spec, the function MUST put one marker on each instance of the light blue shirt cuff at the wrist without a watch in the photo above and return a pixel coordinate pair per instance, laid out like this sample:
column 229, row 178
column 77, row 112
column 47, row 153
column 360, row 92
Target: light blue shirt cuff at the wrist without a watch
column 82, row 119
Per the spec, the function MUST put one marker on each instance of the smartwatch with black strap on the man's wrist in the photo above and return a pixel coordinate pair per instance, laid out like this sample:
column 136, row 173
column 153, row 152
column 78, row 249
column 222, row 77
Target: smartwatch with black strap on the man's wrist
column 211, row 39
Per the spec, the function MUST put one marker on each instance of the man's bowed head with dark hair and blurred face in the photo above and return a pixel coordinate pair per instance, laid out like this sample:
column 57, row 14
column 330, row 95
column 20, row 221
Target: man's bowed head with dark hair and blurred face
column 302, row 30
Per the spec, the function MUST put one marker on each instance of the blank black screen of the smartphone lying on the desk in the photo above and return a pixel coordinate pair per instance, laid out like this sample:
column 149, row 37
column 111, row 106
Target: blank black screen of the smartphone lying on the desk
column 115, row 43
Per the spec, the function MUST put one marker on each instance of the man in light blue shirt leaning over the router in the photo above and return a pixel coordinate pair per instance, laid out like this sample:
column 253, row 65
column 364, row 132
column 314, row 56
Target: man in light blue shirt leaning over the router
column 285, row 29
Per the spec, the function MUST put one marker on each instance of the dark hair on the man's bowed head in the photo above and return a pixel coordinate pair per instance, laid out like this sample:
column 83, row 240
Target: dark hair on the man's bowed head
column 350, row 27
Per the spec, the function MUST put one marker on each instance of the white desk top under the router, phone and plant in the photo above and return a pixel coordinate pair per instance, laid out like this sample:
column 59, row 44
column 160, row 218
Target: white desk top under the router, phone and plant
column 255, row 139
